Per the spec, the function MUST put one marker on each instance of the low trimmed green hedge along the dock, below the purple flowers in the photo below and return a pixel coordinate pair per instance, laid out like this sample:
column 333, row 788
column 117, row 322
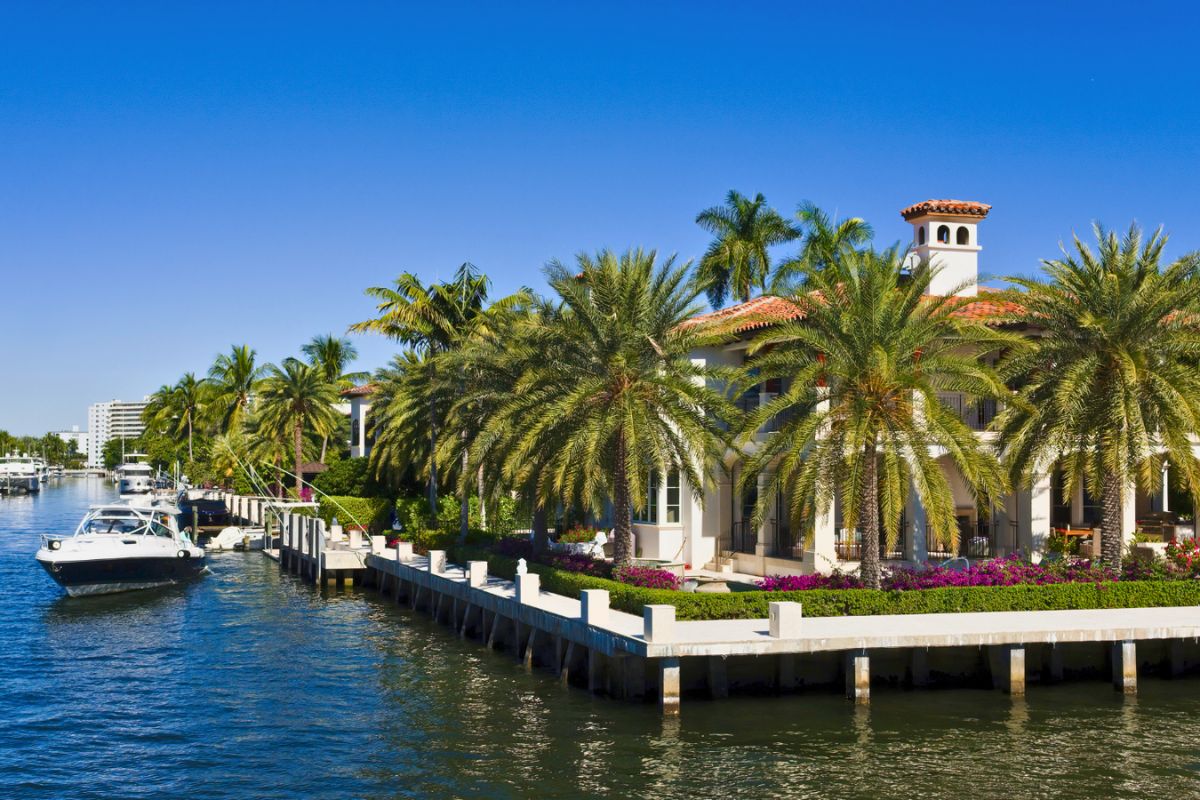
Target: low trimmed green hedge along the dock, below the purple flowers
column 859, row 603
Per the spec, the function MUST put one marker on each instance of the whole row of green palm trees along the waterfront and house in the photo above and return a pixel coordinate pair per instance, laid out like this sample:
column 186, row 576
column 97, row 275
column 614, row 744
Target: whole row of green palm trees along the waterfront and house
column 589, row 394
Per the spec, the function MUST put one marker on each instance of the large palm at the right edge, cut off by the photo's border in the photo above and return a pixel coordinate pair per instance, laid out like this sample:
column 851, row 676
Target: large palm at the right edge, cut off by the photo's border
column 1113, row 386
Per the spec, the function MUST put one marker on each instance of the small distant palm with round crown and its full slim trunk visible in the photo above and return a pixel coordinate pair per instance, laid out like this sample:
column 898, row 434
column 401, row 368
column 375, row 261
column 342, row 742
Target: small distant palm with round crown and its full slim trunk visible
column 297, row 396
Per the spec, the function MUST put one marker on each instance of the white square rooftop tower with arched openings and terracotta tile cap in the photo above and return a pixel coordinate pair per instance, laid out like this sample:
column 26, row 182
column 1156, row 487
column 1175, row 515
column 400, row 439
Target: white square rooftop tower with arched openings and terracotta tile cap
column 946, row 233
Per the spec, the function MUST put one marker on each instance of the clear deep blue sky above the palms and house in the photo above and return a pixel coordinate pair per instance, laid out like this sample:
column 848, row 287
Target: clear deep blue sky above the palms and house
column 176, row 178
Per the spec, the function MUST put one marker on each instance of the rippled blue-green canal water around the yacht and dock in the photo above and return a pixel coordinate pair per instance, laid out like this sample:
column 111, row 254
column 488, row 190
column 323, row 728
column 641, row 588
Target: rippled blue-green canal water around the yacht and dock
column 248, row 684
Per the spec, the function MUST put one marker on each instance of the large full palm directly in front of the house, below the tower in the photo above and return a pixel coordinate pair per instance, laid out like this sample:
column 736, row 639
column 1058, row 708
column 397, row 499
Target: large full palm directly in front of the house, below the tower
column 860, row 412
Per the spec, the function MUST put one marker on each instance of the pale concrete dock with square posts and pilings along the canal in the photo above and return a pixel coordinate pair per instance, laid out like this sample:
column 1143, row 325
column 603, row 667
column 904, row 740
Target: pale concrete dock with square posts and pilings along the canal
column 628, row 657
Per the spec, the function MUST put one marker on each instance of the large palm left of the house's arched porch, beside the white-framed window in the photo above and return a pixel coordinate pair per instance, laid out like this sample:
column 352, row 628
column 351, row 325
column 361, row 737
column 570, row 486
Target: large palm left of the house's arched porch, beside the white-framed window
column 614, row 396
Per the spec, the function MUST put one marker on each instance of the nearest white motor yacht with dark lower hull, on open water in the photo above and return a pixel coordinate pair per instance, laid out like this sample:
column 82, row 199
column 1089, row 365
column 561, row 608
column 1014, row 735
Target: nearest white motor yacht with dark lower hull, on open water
column 121, row 548
